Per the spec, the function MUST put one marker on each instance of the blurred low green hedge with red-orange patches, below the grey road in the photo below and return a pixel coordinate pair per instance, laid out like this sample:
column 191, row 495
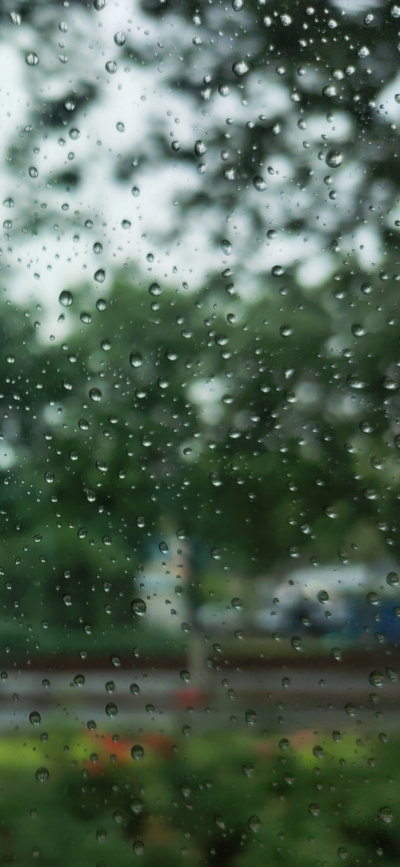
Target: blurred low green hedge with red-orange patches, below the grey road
column 231, row 798
